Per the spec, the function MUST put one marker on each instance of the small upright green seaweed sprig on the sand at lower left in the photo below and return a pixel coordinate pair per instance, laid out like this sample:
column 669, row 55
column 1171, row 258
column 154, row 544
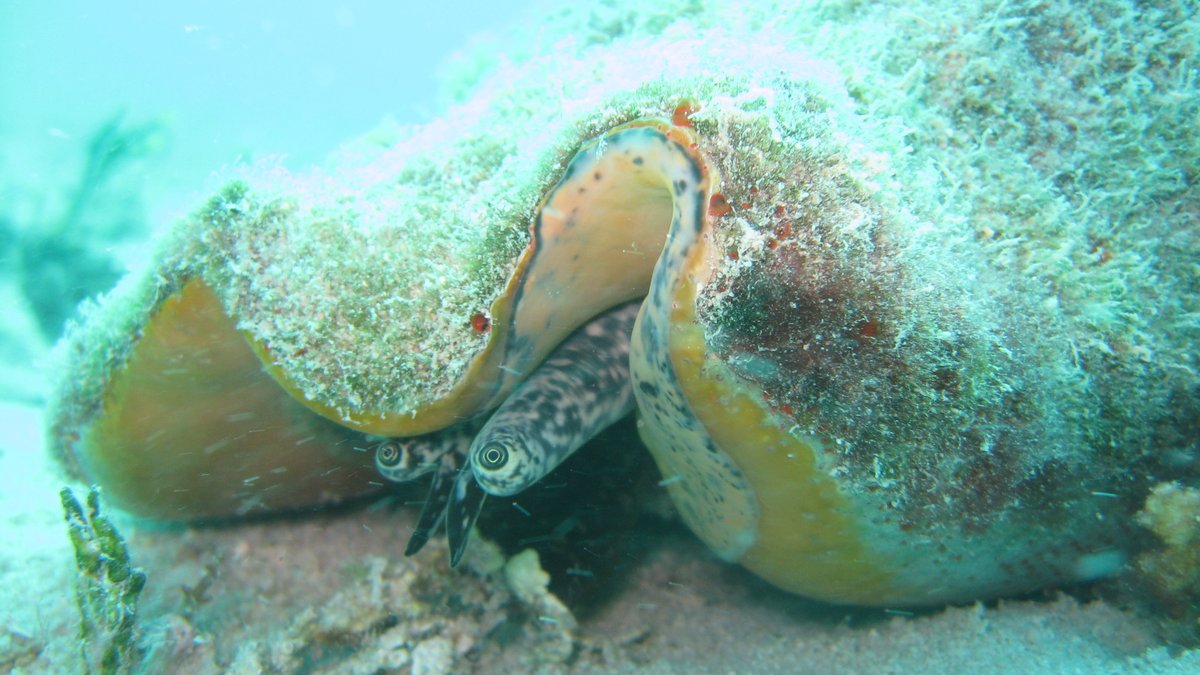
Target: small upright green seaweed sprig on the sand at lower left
column 107, row 588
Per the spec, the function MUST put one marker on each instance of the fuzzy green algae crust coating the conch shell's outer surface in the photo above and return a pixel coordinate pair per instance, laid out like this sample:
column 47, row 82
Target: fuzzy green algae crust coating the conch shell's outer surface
column 953, row 353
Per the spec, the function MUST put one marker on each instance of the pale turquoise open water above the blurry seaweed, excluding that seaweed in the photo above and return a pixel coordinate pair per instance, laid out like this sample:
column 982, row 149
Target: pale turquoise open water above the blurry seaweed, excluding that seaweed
column 220, row 82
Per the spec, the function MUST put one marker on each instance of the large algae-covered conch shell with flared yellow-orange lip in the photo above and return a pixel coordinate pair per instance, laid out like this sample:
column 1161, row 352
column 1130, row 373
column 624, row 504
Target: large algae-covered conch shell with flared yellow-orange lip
column 862, row 379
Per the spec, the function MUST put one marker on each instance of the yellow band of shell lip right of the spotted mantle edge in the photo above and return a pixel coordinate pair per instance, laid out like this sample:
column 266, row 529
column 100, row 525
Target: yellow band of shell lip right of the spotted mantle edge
column 808, row 537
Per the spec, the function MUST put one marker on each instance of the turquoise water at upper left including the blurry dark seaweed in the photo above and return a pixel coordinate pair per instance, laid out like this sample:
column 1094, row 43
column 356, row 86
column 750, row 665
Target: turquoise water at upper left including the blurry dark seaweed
column 119, row 117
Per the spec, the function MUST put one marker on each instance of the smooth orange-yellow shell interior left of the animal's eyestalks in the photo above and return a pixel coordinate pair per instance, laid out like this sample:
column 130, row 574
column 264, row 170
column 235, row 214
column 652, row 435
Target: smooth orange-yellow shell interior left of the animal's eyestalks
column 193, row 427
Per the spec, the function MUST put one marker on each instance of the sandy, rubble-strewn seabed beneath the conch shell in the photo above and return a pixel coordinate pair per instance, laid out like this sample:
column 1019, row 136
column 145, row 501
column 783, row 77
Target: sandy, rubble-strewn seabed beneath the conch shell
column 331, row 593
